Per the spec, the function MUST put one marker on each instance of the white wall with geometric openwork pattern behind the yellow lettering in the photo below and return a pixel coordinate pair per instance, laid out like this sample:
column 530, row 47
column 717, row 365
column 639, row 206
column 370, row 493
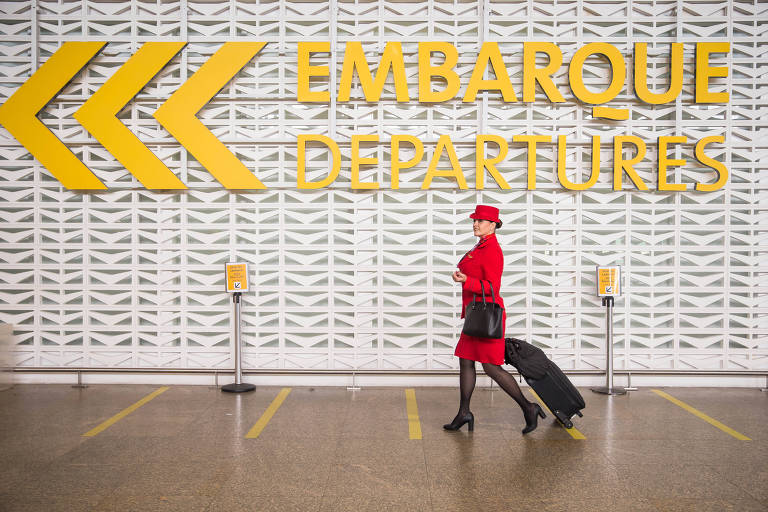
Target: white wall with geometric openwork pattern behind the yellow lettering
column 348, row 279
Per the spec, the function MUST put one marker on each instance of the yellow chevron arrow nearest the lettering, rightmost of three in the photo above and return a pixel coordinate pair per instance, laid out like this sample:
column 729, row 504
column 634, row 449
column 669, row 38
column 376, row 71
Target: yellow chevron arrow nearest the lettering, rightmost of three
column 177, row 115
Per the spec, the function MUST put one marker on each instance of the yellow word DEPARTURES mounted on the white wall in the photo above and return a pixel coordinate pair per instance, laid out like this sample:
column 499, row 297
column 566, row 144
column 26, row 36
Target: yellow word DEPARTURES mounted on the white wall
column 629, row 152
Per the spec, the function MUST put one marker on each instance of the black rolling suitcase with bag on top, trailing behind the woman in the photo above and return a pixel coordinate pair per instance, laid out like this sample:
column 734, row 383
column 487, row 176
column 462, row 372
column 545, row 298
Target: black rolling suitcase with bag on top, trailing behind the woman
column 546, row 379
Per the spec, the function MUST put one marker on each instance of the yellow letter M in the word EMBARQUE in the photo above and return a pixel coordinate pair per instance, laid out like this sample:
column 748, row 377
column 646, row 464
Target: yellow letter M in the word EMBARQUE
column 391, row 59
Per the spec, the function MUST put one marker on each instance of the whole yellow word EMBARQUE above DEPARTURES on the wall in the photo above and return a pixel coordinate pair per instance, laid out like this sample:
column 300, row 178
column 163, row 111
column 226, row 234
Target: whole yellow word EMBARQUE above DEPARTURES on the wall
column 392, row 61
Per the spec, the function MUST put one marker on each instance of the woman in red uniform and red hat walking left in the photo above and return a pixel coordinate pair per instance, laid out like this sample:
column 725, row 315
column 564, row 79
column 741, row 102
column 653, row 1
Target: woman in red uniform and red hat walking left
column 484, row 262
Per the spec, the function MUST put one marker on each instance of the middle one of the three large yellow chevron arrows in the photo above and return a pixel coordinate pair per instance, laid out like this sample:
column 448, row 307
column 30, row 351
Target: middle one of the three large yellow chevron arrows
column 98, row 115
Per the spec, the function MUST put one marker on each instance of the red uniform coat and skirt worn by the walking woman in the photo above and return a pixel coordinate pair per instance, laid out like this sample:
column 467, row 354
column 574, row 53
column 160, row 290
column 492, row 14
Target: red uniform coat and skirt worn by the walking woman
column 485, row 263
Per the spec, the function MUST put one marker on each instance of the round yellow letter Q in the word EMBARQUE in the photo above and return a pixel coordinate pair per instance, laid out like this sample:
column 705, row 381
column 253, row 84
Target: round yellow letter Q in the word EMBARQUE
column 576, row 73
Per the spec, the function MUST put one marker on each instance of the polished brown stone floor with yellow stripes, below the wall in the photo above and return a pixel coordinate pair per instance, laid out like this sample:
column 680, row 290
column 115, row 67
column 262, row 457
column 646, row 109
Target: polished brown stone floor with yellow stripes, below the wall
column 334, row 450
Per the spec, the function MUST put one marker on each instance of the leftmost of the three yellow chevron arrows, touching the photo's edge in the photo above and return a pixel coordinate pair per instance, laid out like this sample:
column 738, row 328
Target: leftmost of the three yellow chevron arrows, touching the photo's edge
column 19, row 114
